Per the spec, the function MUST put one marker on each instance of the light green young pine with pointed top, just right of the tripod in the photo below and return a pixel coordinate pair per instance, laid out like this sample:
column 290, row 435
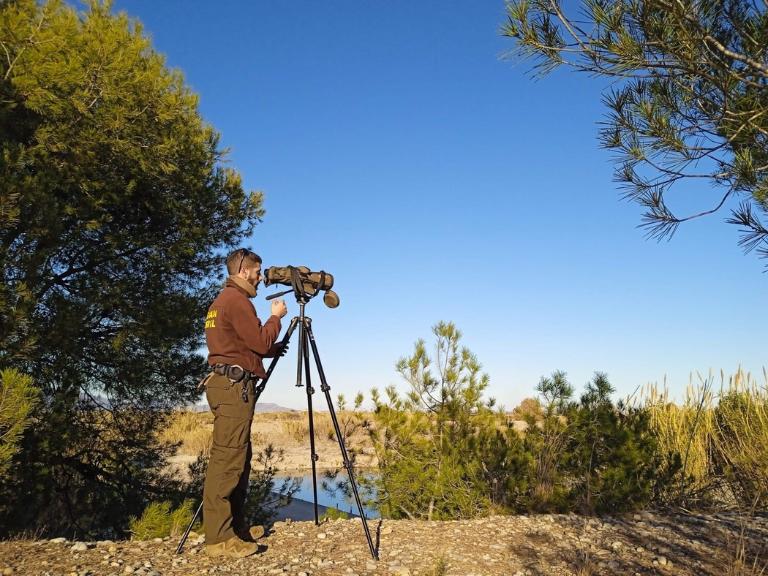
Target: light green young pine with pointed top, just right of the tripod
column 427, row 441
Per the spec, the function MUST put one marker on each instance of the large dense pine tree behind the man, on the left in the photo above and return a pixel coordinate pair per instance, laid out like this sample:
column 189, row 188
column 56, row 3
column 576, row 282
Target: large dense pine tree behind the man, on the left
column 114, row 212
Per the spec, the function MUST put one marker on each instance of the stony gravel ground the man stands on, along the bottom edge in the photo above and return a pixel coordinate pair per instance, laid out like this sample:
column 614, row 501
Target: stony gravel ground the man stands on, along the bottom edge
column 543, row 545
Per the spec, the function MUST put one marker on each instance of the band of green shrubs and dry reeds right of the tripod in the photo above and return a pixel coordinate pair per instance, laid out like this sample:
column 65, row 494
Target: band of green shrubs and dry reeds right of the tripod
column 444, row 452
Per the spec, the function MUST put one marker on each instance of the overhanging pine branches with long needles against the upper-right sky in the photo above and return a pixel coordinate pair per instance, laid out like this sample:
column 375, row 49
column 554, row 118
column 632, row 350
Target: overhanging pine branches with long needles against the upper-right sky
column 687, row 102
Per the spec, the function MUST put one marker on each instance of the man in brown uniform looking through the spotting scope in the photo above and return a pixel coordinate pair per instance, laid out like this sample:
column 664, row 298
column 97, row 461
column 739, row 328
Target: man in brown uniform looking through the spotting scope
column 237, row 342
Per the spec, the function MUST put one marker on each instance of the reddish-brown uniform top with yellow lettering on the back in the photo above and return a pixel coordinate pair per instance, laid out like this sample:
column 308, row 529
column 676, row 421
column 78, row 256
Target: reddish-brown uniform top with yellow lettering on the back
column 235, row 334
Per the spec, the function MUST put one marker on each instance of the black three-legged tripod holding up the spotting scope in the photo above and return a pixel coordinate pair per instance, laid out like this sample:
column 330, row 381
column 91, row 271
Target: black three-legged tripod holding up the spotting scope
column 307, row 342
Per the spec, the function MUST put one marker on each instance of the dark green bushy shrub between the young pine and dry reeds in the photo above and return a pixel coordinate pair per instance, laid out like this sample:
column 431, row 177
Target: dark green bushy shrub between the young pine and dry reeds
column 590, row 456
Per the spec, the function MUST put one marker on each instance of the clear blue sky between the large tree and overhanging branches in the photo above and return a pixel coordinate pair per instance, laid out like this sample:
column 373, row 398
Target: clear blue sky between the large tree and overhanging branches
column 436, row 180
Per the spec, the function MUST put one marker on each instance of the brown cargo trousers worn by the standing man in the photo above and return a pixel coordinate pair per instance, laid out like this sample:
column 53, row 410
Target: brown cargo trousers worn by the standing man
column 229, row 466
